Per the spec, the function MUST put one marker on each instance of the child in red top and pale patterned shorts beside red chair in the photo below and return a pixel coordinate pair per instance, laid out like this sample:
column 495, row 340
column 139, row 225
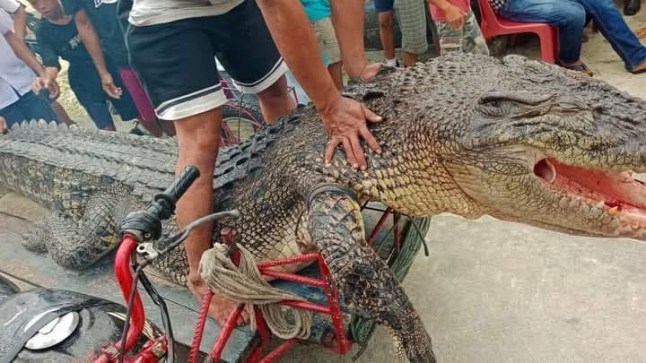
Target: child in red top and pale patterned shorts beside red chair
column 455, row 18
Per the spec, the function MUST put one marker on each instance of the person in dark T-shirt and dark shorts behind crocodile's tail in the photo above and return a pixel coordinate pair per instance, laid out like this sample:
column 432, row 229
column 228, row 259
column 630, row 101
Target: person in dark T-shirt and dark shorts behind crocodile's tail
column 93, row 79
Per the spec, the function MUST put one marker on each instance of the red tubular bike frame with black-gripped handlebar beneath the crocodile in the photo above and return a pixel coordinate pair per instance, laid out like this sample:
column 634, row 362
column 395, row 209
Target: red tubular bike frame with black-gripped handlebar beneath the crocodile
column 128, row 271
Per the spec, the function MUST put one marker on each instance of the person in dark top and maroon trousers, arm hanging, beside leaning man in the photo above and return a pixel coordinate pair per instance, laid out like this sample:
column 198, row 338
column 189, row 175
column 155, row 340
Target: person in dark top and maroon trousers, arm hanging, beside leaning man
column 102, row 17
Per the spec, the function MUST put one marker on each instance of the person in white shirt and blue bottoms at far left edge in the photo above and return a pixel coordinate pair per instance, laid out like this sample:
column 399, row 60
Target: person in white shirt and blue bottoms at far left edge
column 17, row 73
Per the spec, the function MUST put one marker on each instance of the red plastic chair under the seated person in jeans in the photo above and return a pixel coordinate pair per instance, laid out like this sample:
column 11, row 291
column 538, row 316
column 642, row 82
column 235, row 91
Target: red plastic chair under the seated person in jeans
column 491, row 26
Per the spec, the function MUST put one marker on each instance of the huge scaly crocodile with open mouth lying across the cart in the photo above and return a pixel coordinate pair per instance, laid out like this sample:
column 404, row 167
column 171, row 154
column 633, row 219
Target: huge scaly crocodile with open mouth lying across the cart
column 471, row 135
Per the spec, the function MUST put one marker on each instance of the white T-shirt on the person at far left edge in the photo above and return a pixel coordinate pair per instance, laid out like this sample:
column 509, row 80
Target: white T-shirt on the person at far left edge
column 15, row 75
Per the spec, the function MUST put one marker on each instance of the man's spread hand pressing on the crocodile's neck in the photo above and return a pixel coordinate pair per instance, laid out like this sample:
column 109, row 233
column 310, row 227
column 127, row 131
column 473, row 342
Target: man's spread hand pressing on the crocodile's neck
column 345, row 120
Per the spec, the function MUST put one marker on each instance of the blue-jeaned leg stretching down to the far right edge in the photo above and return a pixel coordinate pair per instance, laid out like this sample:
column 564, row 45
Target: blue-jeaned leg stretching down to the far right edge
column 613, row 27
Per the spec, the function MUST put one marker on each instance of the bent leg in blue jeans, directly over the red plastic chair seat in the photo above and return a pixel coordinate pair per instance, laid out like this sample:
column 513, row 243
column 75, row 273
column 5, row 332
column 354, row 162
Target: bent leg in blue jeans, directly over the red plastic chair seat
column 567, row 16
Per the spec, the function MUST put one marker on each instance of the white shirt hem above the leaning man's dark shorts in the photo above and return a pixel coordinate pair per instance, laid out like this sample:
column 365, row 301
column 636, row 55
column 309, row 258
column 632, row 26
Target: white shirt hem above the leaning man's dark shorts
column 151, row 12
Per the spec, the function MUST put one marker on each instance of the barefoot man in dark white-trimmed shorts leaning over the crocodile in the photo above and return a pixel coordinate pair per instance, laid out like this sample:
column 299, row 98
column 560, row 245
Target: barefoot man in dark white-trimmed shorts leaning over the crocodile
column 172, row 45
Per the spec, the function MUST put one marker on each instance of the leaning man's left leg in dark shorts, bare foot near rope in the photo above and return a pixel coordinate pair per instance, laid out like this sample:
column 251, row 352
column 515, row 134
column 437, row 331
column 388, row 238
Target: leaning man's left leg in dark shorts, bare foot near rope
column 184, row 87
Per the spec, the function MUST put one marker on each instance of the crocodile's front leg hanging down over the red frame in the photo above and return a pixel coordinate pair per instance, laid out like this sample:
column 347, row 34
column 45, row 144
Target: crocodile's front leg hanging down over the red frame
column 364, row 280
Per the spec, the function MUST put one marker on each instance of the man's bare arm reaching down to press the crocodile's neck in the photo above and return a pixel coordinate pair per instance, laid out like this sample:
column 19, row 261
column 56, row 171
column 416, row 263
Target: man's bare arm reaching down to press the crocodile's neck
column 343, row 118
